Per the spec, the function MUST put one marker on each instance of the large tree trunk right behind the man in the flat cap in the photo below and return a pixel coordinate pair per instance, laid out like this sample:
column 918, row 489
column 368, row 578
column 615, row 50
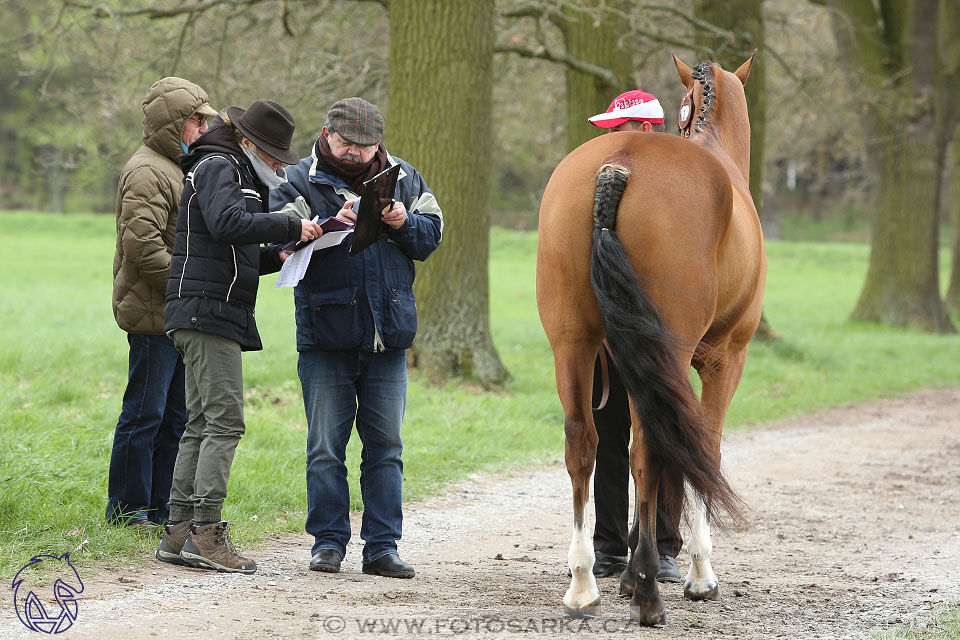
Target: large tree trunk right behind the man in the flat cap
column 439, row 119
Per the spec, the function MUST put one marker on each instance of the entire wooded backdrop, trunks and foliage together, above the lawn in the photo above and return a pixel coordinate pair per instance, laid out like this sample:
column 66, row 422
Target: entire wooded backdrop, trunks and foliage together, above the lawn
column 854, row 106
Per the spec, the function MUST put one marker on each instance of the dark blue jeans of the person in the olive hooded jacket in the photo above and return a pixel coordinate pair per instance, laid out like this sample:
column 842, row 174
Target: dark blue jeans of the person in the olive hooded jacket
column 148, row 432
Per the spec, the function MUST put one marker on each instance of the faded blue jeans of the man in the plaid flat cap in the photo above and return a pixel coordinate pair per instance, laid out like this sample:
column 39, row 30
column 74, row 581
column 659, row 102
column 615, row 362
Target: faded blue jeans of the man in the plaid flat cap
column 338, row 387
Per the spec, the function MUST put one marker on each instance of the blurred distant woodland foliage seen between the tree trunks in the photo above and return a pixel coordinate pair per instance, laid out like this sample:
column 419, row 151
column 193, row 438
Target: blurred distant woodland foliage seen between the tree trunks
column 71, row 87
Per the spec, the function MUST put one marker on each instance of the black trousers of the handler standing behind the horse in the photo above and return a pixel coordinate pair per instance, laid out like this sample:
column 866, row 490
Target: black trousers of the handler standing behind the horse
column 611, row 480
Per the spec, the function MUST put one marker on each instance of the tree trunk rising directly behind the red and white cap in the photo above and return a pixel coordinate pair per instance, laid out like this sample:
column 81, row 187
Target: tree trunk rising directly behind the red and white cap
column 593, row 34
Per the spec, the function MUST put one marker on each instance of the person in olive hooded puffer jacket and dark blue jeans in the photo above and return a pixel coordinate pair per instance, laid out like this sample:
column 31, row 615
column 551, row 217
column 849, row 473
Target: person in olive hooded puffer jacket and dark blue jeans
column 153, row 415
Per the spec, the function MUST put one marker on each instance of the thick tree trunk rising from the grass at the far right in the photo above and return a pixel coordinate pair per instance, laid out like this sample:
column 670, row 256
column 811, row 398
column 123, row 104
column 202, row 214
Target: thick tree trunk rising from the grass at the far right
column 890, row 48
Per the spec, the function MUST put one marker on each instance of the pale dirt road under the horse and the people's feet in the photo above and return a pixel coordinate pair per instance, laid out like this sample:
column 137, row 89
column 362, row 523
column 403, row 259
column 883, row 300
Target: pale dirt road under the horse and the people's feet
column 855, row 525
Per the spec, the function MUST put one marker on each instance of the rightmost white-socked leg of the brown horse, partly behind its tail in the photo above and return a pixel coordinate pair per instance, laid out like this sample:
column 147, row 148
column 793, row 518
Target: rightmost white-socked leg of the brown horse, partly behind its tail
column 720, row 377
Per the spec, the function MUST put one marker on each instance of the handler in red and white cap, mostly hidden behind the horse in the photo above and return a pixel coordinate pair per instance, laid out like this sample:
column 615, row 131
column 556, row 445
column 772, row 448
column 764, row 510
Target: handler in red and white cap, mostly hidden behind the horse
column 630, row 111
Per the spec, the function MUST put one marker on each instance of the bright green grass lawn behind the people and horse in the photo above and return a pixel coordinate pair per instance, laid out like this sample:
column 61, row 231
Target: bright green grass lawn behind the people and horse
column 63, row 368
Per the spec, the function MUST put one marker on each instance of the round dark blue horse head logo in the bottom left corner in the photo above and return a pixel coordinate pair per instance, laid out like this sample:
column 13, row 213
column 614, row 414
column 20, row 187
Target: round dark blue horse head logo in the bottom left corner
column 32, row 610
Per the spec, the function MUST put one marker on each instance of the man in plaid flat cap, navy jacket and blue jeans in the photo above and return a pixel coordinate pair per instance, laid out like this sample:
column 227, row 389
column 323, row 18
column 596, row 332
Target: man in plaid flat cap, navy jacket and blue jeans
column 356, row 316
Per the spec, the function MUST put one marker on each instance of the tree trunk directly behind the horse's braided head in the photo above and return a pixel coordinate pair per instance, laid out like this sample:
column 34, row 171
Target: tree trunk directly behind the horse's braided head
column 746, row 26
